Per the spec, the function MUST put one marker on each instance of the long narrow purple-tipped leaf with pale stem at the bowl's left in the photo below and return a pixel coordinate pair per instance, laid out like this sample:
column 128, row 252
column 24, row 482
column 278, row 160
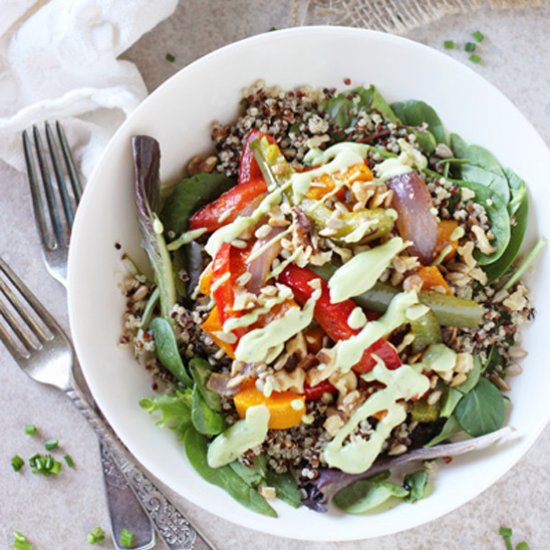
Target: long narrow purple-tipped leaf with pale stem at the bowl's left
column 146, row 152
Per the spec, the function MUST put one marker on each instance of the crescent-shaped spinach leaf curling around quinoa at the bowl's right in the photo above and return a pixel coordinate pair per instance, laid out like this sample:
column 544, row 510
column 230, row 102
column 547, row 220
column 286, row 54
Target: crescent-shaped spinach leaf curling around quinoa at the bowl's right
column 498, row 216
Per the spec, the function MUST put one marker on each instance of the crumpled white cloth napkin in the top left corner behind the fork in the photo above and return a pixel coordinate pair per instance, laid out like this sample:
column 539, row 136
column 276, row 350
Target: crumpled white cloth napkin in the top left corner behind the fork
column 58, row 61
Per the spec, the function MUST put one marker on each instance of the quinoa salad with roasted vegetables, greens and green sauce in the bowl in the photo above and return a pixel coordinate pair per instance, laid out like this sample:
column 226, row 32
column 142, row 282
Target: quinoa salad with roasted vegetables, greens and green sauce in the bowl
column 335, row 292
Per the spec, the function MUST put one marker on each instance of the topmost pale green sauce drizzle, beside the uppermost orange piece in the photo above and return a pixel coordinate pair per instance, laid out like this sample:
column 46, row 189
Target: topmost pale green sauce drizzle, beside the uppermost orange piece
column 334, row 159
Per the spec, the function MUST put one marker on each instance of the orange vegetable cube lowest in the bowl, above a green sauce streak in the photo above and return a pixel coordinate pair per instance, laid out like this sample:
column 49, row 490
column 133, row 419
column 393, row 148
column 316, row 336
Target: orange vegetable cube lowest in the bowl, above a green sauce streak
column 285, row 408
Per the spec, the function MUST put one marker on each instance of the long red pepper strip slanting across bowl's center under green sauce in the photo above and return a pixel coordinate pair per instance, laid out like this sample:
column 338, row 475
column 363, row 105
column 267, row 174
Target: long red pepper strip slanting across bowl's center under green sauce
column 333, row 318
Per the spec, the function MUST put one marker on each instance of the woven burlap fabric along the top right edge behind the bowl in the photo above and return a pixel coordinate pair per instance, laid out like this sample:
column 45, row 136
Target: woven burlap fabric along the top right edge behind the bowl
column 396, row 16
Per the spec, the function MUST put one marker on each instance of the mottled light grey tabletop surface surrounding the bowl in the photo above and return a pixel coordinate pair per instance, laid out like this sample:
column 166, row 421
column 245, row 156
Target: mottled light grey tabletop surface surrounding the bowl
column 57, row 513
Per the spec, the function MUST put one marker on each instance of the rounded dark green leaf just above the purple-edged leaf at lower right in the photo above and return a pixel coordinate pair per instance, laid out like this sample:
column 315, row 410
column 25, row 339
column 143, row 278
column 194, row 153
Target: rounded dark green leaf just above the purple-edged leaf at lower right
column 482, row 410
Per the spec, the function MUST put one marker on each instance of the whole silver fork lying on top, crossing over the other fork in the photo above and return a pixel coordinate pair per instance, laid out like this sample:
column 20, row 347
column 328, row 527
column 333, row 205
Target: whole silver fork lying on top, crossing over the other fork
column 41, row 348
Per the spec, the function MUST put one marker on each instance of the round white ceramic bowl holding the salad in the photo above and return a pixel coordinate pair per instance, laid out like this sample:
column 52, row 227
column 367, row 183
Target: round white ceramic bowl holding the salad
column 179, row 115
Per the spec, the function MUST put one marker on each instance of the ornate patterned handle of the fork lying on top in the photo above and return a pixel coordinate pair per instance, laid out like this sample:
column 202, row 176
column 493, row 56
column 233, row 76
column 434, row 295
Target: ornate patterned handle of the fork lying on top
column 174, row 529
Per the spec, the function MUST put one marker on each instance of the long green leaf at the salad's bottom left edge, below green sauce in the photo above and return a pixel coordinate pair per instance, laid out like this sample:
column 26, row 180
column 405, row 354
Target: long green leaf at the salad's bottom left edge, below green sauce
column 224, row 477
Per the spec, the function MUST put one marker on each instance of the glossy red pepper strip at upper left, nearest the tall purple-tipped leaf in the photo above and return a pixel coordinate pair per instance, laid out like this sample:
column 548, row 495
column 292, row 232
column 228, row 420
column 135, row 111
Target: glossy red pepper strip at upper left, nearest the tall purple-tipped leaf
column 228, row 206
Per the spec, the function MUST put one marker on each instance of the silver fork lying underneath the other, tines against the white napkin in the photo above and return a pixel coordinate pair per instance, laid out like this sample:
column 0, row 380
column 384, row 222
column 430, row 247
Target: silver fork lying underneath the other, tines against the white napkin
column 54, row 229
